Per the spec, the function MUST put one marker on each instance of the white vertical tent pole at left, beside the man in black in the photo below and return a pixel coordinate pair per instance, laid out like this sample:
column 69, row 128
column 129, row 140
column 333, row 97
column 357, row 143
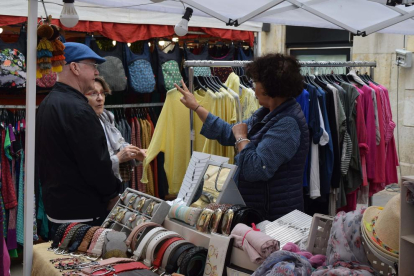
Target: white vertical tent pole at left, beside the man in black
column 29, row 175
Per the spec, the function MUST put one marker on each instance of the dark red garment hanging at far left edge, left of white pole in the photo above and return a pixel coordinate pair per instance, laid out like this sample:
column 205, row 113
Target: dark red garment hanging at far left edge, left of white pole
column 7, row 187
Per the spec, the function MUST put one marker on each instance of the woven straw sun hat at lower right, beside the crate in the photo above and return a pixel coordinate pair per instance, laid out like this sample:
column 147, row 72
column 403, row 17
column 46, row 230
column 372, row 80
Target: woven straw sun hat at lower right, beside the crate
column 381, row 228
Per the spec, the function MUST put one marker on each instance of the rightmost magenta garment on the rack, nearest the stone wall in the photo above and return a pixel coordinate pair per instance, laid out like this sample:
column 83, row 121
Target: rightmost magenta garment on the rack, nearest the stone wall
column 391, row 161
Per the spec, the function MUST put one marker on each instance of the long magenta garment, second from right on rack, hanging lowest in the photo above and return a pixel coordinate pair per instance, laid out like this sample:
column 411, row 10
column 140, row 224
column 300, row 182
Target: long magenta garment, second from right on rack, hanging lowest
column 378, row 183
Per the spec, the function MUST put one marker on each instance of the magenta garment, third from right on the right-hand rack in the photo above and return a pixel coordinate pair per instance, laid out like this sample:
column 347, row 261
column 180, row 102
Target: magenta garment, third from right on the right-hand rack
column 369, row 115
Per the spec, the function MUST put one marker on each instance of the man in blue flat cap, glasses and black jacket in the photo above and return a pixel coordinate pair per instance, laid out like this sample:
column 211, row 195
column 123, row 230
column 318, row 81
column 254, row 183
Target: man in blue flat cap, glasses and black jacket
column 72, row 158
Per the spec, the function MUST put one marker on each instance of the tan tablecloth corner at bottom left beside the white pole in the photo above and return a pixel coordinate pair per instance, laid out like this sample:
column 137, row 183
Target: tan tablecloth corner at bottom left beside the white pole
column 41, row 264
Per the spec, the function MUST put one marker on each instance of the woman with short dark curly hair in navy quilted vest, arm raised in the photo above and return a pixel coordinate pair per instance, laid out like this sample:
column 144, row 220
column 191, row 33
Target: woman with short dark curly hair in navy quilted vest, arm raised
column 273, row 143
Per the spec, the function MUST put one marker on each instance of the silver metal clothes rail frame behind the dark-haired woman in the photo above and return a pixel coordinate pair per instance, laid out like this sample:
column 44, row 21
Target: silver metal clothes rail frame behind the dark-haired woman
column 238, row 63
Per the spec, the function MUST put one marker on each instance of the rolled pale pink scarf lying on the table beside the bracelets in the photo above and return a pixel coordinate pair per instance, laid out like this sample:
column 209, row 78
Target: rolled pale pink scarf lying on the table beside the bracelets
column 257, row 244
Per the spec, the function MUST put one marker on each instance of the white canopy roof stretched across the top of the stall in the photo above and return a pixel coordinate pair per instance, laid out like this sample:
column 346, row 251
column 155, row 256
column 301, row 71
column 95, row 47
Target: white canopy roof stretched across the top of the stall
column 357, row 16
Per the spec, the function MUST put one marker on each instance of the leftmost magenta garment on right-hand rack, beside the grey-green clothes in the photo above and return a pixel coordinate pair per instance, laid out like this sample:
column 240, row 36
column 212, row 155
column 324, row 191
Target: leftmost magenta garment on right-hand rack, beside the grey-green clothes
column 362, row 135
